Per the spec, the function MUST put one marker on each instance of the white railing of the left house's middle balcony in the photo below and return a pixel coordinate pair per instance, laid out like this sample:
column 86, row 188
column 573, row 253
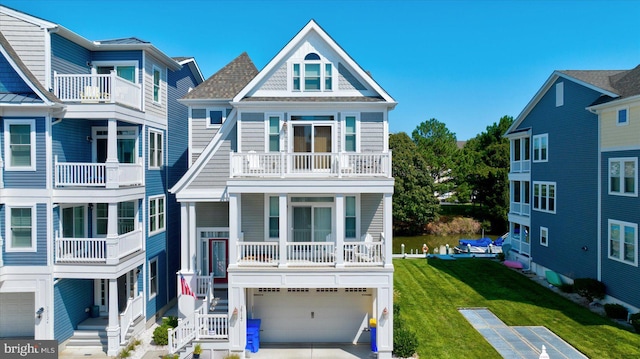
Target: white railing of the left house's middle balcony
column 109, row 175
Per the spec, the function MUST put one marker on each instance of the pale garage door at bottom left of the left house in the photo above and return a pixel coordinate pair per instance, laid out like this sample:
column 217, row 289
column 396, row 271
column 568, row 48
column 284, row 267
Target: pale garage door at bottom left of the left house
column 17, row 316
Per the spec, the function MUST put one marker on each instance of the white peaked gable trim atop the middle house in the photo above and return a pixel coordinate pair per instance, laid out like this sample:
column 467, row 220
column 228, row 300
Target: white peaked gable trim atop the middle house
column 313, row 27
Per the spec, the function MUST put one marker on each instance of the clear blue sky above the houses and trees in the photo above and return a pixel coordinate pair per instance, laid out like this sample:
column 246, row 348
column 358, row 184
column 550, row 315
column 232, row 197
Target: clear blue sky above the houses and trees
column 466, row 63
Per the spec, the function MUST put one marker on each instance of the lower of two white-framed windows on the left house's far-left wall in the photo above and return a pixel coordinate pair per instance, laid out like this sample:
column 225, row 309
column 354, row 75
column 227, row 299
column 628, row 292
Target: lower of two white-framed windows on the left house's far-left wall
column 22, row 229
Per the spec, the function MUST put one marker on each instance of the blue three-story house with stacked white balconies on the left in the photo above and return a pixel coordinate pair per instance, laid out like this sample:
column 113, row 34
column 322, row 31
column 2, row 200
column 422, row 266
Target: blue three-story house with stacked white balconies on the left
column 91, row 137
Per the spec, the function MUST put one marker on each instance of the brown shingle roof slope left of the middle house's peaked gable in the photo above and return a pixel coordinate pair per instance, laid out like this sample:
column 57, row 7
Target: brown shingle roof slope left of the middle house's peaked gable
column 227, row 82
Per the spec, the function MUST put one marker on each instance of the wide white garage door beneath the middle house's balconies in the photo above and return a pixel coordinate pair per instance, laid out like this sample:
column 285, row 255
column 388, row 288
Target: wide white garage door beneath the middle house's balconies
column 313, row 315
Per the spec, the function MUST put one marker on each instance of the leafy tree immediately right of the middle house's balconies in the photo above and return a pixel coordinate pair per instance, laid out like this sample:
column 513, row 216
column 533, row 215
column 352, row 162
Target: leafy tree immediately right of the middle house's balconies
column 414, row 203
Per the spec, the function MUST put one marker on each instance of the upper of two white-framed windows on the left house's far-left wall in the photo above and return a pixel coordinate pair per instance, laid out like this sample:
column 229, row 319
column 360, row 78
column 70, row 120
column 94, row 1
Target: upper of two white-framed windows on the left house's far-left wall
column 20, row 145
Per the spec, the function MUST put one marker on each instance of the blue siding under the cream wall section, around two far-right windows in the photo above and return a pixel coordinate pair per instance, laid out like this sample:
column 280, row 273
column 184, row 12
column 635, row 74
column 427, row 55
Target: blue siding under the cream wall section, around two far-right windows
column 616, row 274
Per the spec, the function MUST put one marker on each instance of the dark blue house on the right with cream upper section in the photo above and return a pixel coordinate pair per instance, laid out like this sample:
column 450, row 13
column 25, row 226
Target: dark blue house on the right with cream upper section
column 562, row 207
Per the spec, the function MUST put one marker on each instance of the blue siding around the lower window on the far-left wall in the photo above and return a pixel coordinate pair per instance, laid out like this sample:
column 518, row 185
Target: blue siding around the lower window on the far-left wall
column 38, row 258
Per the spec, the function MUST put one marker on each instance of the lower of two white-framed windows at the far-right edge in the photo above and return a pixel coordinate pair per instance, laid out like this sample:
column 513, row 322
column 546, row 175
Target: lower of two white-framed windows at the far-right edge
column 623, row 241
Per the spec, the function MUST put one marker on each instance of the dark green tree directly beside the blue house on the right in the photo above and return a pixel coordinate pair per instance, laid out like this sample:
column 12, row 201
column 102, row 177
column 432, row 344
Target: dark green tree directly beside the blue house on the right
column 487, row 171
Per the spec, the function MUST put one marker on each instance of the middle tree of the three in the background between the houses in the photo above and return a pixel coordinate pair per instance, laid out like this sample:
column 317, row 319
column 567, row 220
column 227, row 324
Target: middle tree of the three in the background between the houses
column 439, row 147
